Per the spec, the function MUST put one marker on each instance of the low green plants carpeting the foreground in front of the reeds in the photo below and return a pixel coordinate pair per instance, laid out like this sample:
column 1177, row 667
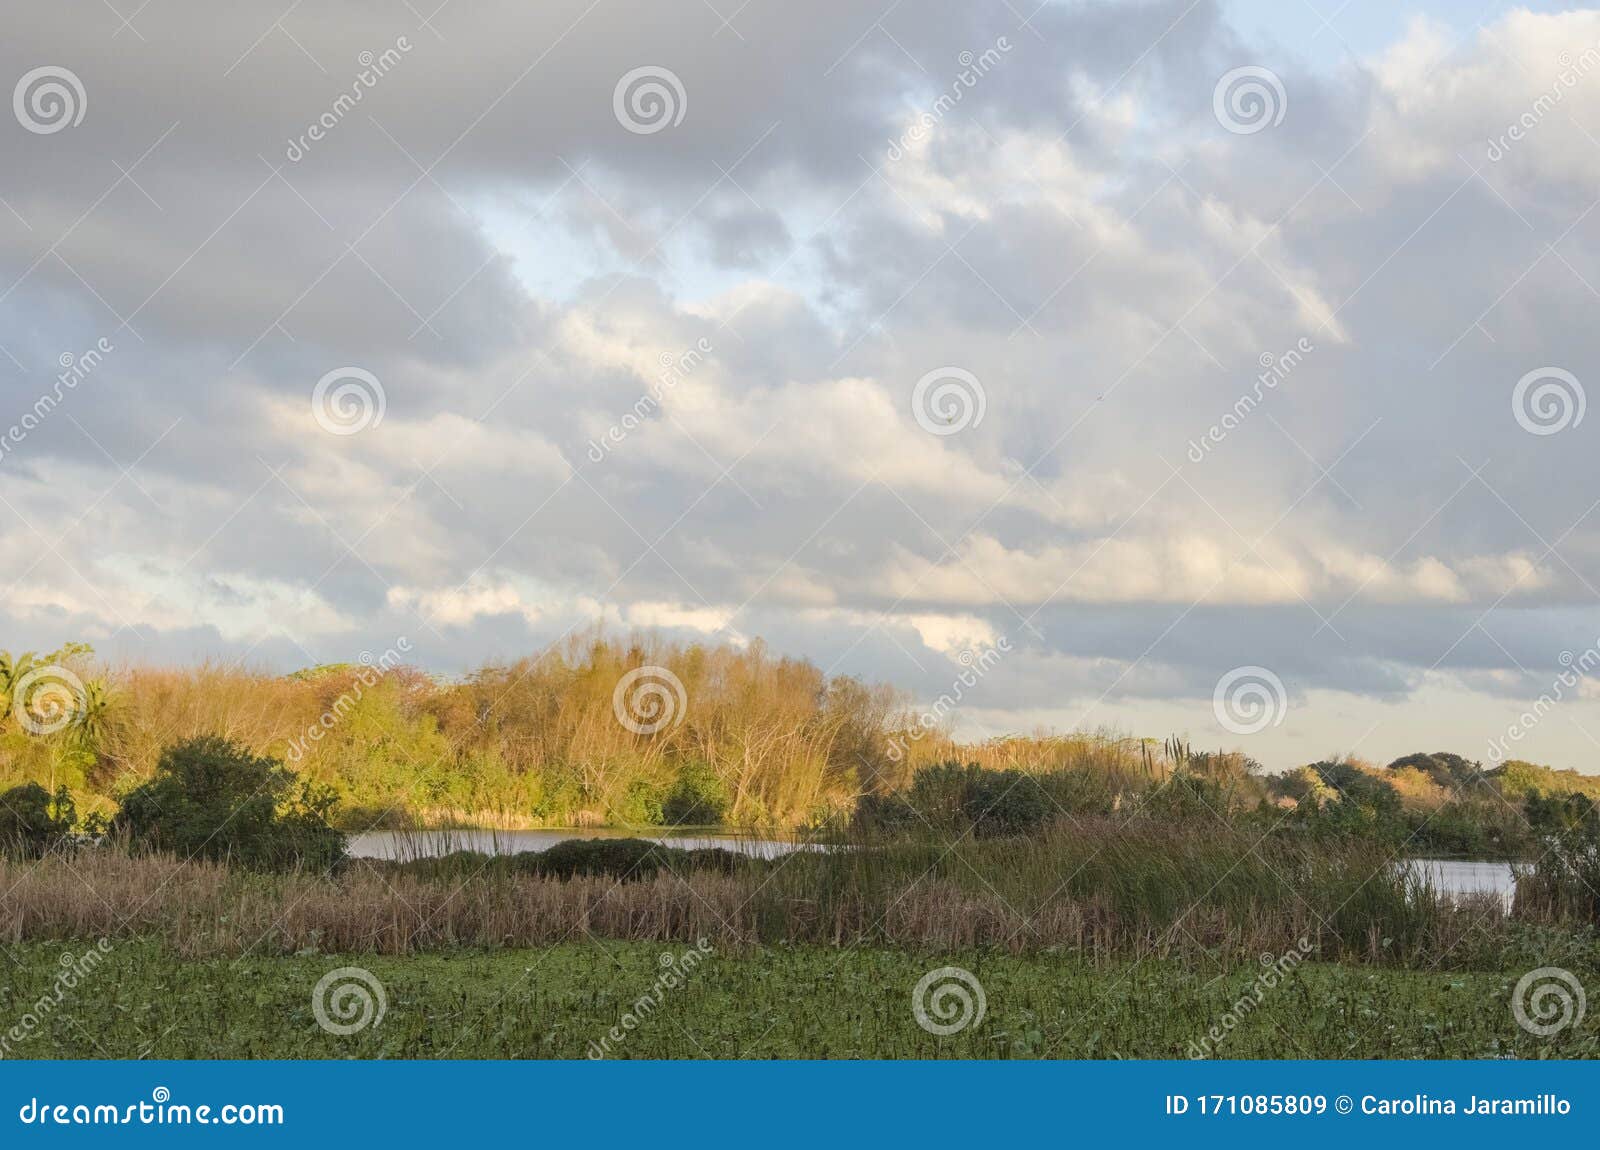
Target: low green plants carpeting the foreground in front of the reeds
column 806, row 1002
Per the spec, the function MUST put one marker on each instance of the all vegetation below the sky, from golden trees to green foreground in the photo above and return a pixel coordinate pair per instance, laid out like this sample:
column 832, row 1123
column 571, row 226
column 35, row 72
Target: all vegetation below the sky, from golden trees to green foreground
column 1114, row 895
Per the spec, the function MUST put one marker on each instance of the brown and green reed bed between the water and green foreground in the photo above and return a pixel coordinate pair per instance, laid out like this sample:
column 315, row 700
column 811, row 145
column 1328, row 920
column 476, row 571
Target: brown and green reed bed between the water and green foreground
column 1103, row 893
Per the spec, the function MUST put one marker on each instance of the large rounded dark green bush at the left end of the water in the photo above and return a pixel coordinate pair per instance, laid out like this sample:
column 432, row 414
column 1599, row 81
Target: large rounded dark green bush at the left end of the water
column 214, row 799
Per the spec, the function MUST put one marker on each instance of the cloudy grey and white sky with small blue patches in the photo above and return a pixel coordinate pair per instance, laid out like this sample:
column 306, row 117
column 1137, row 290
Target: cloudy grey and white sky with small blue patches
column 1180, row 367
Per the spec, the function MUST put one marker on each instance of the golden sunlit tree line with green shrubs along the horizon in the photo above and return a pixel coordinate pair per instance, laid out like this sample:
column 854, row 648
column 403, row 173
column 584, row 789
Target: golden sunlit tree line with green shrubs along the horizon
column 750, row 741
